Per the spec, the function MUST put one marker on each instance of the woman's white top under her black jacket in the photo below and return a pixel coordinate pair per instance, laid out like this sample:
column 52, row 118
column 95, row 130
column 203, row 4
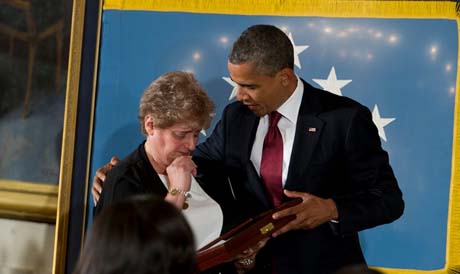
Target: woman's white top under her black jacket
column 203, row 214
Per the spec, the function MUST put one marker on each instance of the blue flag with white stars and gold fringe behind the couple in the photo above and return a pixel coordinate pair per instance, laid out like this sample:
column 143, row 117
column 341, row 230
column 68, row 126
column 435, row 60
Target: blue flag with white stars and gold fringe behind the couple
column 399, row 58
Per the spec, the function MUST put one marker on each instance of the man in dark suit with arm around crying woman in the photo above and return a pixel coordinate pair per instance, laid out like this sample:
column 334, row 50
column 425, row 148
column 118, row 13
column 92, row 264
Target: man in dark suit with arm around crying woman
column 331, row 158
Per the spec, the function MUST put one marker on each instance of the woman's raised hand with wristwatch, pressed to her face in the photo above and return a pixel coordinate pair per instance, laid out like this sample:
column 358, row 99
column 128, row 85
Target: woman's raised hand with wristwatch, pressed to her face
column 179, row 174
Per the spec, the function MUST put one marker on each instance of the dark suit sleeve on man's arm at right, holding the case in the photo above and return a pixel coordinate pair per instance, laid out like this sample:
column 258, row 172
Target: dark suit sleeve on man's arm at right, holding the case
column 376, row 198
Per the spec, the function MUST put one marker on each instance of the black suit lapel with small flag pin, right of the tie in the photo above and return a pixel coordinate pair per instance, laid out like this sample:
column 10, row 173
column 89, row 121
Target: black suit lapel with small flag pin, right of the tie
column 308, row 131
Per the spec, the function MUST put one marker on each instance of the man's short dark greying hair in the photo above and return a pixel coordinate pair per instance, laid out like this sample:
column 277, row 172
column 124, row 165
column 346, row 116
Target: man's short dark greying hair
column 266, row 46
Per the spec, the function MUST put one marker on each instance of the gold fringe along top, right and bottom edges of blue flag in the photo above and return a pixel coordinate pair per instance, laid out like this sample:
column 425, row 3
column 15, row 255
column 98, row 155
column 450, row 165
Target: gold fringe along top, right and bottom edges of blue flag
column 341, row 8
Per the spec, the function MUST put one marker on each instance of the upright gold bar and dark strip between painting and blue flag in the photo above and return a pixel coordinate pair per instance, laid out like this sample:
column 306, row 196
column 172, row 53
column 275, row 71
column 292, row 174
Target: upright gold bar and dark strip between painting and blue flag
column 70, row 224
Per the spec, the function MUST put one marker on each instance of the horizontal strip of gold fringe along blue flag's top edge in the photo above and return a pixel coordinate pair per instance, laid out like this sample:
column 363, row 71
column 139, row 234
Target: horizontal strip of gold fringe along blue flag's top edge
column 336, row 8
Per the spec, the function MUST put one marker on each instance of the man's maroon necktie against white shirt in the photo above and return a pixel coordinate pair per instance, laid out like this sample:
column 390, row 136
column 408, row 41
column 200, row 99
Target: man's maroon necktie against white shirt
column 271, row 166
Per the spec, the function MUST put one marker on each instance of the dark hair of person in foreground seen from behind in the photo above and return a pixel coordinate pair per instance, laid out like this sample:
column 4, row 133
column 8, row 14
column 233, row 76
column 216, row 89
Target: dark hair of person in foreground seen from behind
column 142, row 235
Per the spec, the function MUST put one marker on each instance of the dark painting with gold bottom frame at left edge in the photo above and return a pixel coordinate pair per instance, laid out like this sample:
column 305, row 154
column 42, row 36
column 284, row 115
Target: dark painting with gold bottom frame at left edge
column 33, row 62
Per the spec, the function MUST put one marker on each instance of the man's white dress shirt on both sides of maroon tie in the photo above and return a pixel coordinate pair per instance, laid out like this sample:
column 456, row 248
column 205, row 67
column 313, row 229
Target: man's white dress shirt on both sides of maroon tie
column 287, row 125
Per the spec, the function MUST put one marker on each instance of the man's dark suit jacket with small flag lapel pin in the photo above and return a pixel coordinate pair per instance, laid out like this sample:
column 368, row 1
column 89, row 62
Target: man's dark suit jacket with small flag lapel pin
column 336, row 154
